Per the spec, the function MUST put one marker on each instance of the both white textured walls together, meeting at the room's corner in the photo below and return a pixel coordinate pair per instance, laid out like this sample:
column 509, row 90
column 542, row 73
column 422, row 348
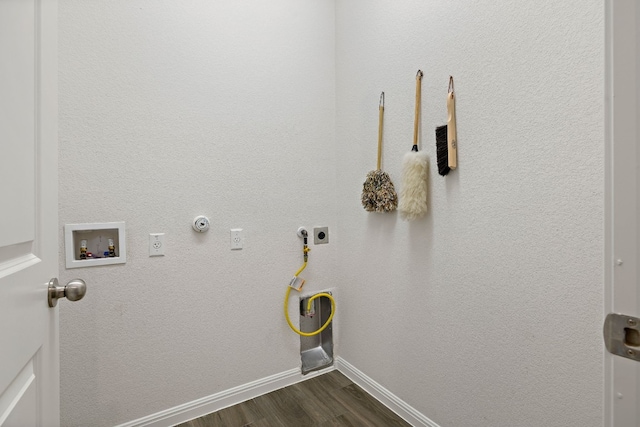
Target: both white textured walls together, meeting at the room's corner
column 486, row 313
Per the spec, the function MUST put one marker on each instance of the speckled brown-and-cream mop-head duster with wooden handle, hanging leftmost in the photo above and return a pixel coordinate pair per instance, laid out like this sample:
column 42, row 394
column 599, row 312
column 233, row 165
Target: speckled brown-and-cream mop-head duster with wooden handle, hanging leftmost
column 378, row 192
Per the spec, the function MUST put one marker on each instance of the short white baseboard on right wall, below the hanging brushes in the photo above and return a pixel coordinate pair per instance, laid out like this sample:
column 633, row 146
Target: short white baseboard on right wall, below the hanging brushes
column 390, row 400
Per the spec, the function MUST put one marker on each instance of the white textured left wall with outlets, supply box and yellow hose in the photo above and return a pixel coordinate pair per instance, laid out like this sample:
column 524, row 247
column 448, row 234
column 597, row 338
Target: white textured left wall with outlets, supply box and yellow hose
column 169, row 109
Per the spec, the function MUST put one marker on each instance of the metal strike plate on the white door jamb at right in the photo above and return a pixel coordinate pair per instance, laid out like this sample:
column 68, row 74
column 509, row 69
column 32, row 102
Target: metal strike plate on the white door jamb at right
column 622, row 335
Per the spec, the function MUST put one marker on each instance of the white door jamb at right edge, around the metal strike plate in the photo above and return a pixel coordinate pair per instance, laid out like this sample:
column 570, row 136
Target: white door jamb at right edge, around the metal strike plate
column 622, row 374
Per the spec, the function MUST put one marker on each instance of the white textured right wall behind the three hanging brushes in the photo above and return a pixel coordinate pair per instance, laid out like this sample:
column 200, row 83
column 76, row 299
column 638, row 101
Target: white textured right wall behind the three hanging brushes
column 488, row 312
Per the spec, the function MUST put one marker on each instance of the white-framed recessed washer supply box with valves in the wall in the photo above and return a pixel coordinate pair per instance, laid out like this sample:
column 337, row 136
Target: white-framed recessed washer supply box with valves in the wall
column 97, row 237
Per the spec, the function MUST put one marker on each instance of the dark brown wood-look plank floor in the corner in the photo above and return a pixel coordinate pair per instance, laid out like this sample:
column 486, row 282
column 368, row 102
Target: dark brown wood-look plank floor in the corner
column 328, row 400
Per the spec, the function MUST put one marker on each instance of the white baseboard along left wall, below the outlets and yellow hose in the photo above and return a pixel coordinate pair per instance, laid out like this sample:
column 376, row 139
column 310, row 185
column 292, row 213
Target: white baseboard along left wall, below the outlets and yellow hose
column 224, row 399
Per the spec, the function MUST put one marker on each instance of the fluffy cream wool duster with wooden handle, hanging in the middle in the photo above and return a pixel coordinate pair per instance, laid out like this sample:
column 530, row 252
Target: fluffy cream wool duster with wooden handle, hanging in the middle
column 415, row 169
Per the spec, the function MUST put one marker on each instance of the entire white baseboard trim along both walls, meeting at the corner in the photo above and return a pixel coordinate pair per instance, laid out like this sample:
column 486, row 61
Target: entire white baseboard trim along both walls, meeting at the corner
column 233, row 396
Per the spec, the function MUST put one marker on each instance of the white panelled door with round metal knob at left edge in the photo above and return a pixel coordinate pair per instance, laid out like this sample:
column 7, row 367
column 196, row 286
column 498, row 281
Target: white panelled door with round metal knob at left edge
column 29, row 350
